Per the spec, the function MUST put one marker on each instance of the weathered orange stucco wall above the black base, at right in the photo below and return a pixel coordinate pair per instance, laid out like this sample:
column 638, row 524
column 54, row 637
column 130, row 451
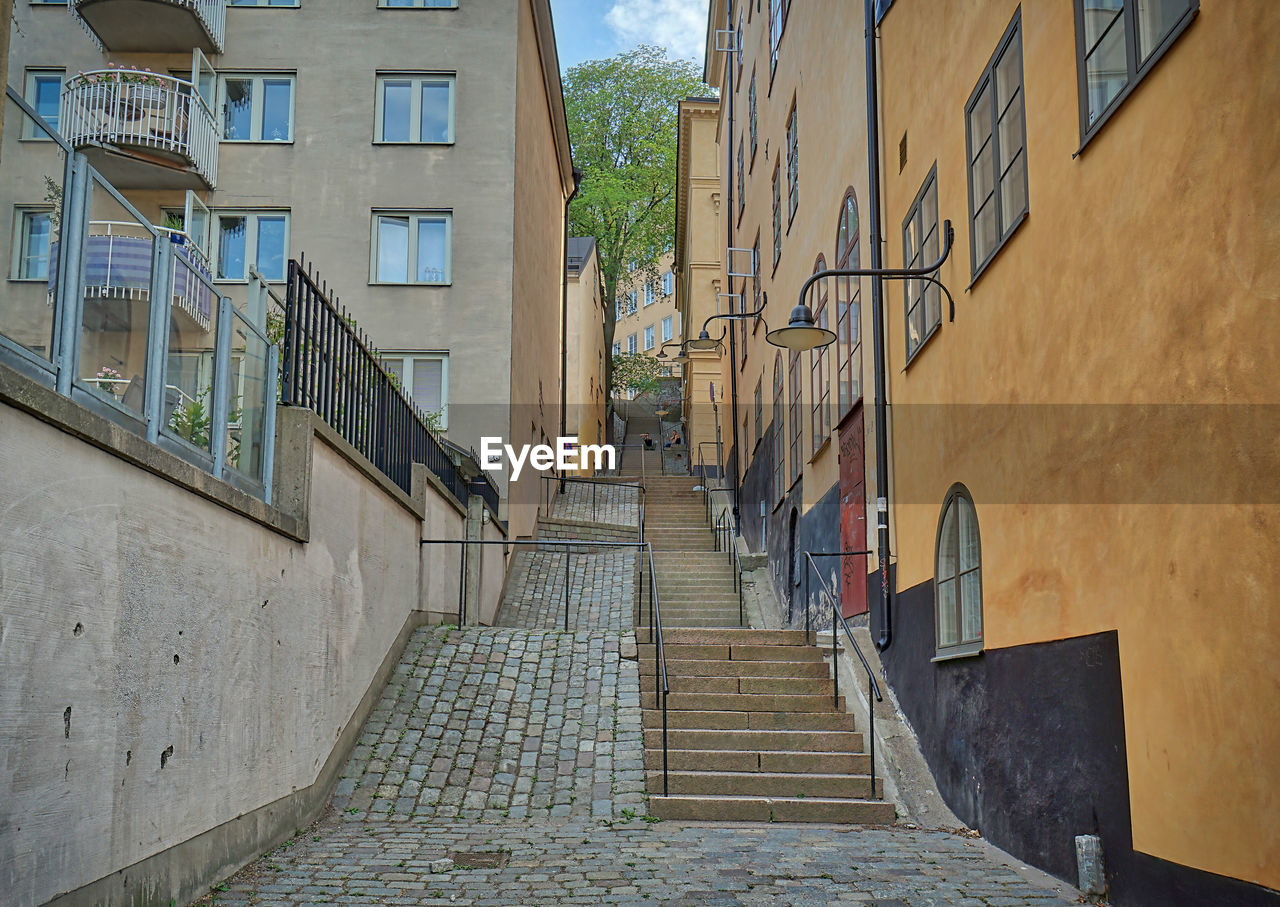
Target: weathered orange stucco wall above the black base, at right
column 1090, row 393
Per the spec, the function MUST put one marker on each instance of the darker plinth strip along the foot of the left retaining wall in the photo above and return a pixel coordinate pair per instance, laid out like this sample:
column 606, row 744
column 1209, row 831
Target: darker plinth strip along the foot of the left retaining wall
column 186, row 872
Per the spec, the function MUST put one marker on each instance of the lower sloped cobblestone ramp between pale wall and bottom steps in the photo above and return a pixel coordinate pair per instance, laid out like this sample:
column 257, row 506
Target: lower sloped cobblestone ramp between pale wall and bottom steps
column 488, row 725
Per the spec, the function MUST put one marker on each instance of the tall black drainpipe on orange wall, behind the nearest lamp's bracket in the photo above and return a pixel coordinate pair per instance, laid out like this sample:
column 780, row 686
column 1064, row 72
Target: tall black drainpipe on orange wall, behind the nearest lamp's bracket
column 874, row 199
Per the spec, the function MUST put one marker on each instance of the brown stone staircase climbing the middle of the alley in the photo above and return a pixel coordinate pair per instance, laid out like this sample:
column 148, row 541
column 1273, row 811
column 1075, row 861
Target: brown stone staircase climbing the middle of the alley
column 753, row 734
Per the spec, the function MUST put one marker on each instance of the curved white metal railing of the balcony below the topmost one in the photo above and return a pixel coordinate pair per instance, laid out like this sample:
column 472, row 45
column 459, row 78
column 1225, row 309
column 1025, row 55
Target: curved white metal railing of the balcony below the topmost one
column 144, row 111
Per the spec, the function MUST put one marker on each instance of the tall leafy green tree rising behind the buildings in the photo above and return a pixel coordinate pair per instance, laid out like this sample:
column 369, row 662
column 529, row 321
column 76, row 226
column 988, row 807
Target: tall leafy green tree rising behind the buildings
column 623, row 121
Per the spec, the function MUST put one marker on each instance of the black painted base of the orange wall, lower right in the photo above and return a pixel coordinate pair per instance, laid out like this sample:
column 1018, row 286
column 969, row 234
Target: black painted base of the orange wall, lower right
column 1028, row 746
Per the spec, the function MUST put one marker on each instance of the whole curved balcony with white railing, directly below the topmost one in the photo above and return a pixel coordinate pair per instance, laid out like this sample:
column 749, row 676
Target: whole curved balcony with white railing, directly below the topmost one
column 141, row 131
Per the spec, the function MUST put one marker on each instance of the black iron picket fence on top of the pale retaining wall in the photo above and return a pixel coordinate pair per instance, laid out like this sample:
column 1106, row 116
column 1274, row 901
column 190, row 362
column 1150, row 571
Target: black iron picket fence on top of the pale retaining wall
column 331, row 368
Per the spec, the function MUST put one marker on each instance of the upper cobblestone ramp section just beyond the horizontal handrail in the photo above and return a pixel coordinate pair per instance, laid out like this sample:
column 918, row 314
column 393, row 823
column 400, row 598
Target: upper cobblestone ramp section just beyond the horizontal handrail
column 601, row 590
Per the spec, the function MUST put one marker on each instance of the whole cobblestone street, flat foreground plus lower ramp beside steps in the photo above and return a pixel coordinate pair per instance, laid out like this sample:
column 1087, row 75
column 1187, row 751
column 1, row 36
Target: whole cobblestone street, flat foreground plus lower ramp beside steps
column 505, row 767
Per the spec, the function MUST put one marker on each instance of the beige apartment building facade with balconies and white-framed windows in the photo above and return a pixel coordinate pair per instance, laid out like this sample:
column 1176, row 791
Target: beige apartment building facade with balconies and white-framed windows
column 423, row 172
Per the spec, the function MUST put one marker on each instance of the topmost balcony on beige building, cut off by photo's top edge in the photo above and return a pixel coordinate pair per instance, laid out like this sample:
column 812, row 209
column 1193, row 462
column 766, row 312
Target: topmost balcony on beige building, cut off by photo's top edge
column 156, row 26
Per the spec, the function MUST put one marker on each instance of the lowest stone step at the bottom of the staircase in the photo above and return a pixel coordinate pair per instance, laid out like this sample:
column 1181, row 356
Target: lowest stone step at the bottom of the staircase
column 772, row 809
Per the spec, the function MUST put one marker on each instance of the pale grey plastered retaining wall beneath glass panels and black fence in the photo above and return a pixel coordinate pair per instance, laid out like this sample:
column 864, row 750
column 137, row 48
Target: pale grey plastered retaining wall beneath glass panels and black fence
column 170, row 666
